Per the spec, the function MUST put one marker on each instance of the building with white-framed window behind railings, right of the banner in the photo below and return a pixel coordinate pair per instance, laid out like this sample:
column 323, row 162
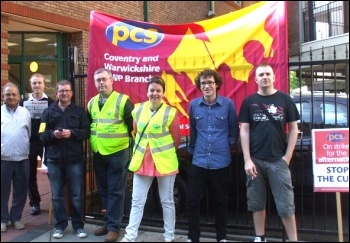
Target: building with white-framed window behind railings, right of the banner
column 319, row 34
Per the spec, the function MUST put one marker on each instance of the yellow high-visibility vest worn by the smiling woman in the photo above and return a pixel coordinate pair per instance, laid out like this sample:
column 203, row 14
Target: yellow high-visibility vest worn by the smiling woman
column 157, row 136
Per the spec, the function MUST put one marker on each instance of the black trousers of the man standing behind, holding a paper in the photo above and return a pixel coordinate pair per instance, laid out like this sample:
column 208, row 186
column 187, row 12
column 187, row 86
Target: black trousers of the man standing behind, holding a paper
column 36, row 149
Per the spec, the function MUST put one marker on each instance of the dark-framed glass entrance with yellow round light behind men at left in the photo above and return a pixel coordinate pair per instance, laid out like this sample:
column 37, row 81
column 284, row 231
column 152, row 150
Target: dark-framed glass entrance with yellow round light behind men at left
column 37, row 48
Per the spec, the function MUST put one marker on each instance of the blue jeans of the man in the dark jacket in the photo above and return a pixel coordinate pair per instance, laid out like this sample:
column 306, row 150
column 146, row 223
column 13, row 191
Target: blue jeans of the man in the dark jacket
column 59, row 174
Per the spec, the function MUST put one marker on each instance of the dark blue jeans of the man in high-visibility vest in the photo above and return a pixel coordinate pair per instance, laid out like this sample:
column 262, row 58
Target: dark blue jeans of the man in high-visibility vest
column 111, row 182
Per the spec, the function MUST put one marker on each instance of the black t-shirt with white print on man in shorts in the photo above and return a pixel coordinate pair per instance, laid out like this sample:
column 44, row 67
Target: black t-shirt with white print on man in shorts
column 265, row 141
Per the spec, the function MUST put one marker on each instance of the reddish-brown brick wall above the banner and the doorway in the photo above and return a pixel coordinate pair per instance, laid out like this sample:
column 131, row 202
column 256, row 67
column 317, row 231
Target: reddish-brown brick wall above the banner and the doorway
column 76, row 14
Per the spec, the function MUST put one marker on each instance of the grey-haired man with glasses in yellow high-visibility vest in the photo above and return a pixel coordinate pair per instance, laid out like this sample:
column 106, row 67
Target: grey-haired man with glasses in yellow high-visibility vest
column 111, row 126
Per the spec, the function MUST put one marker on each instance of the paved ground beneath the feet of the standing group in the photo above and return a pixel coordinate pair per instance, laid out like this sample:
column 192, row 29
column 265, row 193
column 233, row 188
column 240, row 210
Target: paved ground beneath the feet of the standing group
column 39, row 228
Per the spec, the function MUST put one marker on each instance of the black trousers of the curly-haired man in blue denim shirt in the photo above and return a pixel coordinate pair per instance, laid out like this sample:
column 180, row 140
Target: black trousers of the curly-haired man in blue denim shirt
column 199, row 181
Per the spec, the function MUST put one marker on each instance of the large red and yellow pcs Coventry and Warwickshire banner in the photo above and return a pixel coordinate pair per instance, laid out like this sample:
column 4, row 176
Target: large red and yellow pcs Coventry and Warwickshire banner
column 233, row 44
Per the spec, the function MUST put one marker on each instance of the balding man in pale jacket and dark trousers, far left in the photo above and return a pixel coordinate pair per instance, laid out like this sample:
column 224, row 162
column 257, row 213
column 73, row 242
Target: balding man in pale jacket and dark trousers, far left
column 15, row 134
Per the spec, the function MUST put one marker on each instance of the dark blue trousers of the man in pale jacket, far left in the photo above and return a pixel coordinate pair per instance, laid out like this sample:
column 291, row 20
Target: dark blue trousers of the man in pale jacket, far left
column 17, row 174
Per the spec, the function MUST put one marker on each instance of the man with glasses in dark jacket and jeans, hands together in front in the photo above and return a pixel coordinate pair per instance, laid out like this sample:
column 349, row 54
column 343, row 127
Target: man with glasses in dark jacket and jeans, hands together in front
column 64, row 127
